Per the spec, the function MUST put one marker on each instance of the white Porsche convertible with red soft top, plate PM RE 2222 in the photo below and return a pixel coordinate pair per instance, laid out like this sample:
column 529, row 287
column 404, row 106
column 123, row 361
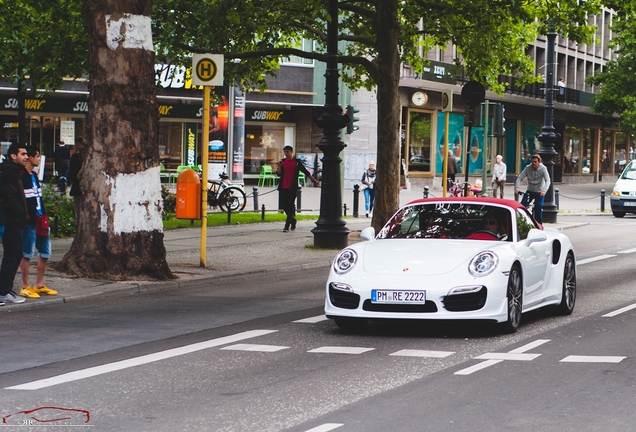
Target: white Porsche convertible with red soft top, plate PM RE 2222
column 453, row 259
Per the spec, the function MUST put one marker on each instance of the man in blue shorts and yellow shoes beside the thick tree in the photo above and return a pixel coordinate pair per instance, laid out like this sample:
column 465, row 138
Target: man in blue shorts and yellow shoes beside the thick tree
column 32, row 240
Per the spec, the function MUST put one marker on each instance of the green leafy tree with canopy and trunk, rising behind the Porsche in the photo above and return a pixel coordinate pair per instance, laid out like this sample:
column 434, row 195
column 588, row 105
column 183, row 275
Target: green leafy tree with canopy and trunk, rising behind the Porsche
column 490, row 36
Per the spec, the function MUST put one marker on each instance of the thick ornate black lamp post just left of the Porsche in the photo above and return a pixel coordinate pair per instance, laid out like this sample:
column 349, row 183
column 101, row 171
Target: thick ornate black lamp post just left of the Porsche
column 330, row 231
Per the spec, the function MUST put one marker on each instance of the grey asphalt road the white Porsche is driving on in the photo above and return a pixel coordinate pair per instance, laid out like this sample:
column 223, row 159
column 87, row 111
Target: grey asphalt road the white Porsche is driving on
column 257, row 355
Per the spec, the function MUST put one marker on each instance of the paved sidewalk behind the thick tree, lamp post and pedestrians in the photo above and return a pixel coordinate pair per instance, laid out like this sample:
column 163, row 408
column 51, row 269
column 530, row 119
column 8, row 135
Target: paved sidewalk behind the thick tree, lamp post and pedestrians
column 249, row 251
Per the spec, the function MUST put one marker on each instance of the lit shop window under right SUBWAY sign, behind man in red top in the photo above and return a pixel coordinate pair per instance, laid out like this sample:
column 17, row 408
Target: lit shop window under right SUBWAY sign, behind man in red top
column 264, row 145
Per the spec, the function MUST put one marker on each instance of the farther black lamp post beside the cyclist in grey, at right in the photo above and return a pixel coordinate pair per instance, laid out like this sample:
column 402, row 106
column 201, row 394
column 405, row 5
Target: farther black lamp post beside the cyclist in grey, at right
column 548, row 137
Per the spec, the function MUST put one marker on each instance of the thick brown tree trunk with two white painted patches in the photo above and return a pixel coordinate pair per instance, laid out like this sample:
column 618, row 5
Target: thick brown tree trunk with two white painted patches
column 120, row 230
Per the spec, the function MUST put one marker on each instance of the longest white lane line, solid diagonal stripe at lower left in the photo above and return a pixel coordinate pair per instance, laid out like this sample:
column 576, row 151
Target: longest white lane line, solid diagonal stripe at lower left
column 136, row 361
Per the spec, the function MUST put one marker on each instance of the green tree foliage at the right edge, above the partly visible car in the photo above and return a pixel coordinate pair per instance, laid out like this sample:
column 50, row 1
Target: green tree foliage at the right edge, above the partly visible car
column 617, row 95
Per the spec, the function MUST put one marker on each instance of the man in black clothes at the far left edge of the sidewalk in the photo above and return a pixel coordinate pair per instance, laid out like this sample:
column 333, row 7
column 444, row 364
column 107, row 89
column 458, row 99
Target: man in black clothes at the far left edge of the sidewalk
column 15, row 216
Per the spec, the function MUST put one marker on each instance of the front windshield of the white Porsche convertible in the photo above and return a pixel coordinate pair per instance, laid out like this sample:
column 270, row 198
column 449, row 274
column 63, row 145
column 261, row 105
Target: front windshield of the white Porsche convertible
column 449, row 221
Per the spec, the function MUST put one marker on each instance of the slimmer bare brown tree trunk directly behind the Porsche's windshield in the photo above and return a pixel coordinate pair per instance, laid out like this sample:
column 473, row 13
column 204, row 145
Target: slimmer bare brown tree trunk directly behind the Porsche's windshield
column 388, row 164
